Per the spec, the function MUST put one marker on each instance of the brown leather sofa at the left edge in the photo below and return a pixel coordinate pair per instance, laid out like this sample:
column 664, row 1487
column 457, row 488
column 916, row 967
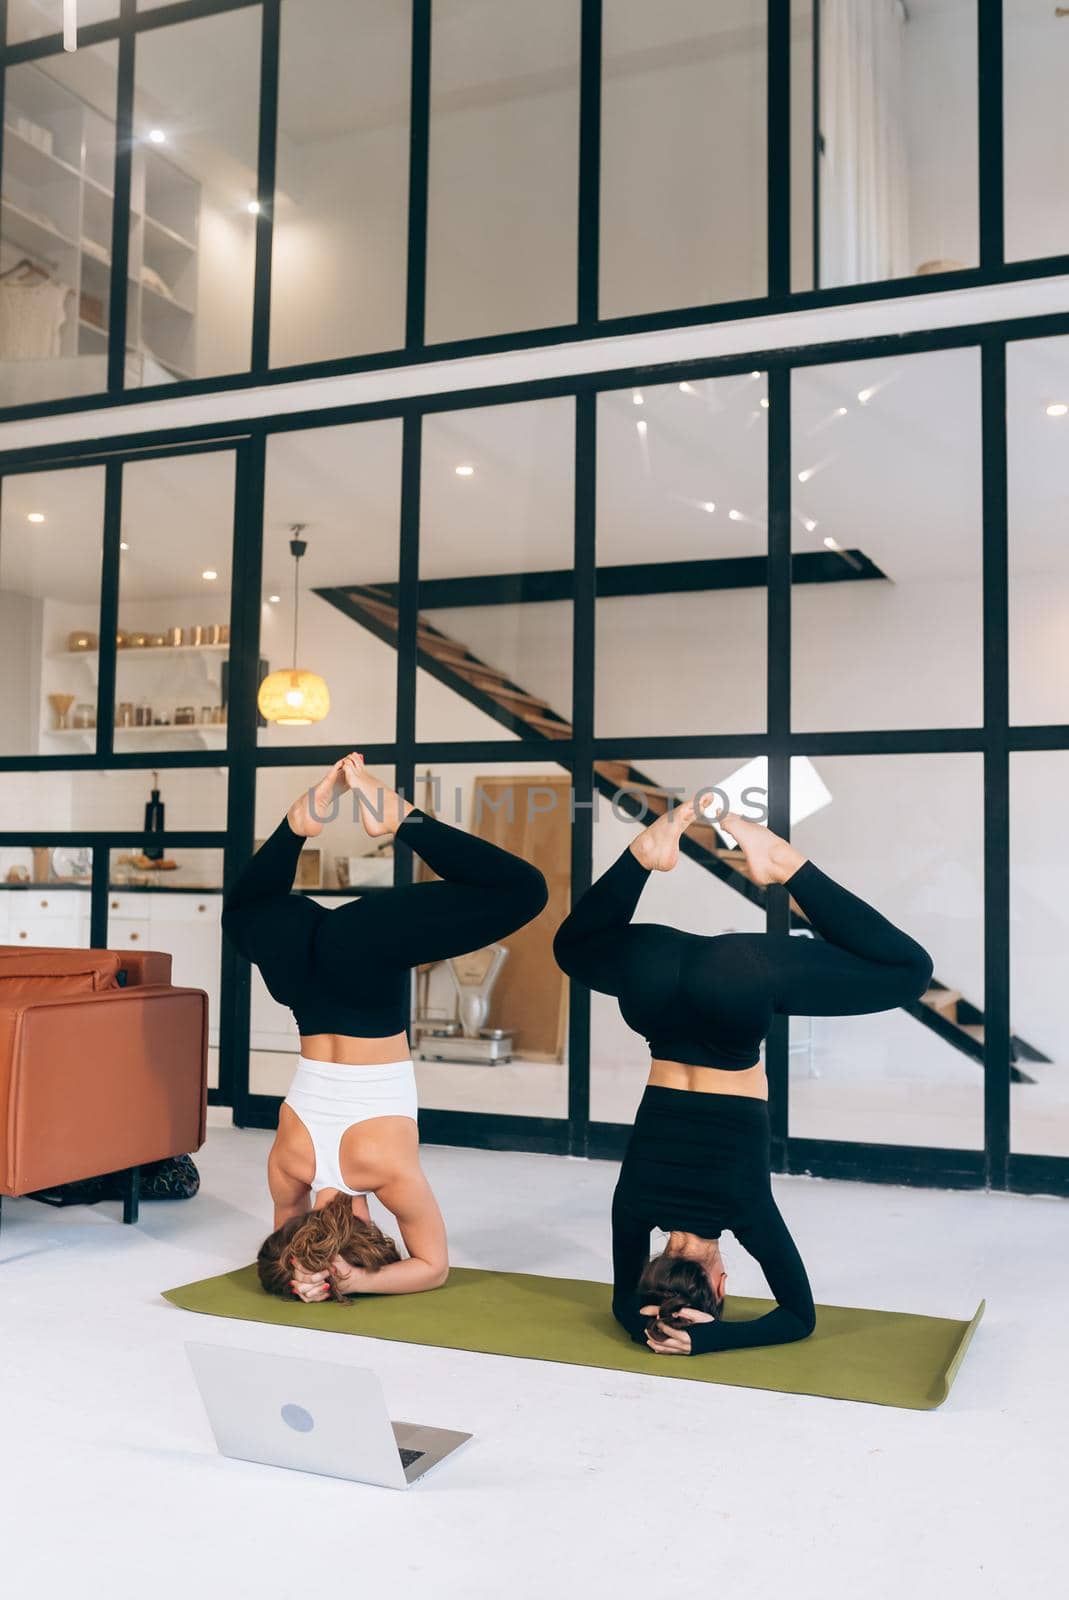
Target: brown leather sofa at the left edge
column 103, row 1066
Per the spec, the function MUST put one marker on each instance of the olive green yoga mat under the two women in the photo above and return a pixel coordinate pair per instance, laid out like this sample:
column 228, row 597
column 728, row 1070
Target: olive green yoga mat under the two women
column 878, row 1356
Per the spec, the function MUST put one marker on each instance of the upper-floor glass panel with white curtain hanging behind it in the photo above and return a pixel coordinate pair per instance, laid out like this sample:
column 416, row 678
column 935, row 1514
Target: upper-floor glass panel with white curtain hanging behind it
column 897, row 116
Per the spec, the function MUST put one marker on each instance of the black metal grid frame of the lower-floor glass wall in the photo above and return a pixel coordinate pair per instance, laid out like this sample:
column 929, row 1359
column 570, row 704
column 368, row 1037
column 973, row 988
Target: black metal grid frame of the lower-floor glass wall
column 996, row 1166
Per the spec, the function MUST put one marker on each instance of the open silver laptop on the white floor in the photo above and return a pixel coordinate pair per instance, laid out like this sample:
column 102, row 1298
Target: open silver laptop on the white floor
column 313, row 1417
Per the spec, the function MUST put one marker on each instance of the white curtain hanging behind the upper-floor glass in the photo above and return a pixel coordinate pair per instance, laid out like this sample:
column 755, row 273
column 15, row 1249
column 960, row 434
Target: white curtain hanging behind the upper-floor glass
column 865, row 198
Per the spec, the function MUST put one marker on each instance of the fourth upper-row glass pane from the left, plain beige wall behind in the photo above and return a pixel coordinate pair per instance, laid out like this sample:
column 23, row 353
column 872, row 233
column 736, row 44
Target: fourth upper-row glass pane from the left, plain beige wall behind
column 505, row 162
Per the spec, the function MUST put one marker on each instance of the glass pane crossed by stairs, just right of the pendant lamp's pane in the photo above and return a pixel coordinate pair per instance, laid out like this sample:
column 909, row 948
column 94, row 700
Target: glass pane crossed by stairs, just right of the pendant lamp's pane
column 497, row 574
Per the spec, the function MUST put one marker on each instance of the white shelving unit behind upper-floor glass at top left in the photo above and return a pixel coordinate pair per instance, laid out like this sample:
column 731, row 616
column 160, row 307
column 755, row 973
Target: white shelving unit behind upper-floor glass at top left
column 57, row 210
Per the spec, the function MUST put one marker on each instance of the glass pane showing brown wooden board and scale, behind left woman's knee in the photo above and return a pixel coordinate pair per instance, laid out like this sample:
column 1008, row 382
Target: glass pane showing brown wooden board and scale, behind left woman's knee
column 492, row 1033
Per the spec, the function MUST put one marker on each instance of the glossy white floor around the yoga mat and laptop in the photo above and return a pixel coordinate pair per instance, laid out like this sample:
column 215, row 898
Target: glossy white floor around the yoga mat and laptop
column 579, row 1482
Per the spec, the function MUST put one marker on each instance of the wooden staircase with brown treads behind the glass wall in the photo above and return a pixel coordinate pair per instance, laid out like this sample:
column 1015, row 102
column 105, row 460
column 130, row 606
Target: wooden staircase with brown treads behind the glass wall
column 942, row 1010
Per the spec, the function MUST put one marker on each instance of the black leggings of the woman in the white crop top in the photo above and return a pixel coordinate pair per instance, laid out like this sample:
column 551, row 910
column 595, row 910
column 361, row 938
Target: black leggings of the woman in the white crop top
column 346, row 970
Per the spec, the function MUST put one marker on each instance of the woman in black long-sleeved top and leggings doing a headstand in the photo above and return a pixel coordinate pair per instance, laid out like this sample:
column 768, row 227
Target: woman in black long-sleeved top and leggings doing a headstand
column 699, row 1159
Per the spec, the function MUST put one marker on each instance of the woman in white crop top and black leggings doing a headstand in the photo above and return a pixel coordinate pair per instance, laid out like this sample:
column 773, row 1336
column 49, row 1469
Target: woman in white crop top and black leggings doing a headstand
column 348, row 1127
